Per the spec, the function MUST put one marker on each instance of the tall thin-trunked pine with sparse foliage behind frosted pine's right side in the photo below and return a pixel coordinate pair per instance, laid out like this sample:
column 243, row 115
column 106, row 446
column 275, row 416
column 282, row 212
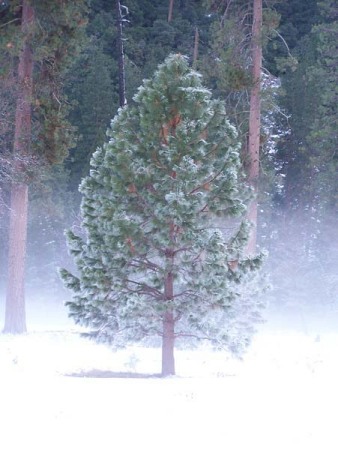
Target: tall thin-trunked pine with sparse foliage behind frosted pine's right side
column 234, row 67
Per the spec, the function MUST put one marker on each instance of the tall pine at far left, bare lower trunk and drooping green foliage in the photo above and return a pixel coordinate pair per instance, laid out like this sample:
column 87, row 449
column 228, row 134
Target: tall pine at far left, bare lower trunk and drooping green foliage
column 38, row 43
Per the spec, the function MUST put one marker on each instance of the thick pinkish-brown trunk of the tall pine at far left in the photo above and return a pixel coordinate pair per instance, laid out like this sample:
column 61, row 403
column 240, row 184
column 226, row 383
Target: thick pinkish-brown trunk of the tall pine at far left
column 15, row 315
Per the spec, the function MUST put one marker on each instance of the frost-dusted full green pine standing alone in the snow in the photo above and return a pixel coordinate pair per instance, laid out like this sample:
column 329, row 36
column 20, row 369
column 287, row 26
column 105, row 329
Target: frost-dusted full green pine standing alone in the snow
column 153, row 260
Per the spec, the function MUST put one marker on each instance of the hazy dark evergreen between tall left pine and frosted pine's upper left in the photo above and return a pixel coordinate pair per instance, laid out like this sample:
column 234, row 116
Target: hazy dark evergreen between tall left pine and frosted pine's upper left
column 91, row 87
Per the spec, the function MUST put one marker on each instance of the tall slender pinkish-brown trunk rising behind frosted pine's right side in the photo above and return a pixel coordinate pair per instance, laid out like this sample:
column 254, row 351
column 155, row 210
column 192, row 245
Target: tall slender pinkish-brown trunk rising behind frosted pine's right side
column 254, row 120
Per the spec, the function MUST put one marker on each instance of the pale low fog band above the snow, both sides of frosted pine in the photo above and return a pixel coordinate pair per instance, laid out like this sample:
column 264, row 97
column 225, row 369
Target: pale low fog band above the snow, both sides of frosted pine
column 302, row 269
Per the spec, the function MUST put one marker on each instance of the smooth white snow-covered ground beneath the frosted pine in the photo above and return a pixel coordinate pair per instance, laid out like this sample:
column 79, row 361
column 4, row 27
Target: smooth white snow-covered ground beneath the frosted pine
column 60, row 391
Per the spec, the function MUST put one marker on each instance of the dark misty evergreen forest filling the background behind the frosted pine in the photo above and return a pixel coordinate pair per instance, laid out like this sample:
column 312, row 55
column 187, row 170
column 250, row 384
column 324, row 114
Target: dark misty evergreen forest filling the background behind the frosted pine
column 298, row 183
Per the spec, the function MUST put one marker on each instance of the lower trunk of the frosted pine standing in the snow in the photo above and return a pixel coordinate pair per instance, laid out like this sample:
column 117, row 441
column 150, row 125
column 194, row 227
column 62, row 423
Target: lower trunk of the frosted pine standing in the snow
column 168, row 338
